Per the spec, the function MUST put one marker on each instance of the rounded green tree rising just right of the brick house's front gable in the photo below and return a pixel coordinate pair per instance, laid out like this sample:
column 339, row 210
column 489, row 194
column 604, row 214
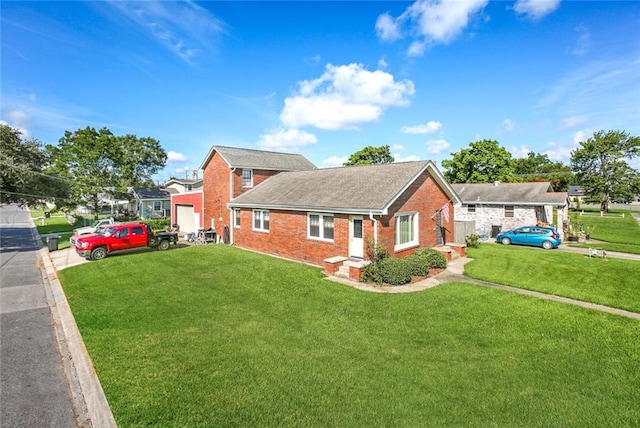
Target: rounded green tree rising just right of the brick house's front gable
column 483, row 162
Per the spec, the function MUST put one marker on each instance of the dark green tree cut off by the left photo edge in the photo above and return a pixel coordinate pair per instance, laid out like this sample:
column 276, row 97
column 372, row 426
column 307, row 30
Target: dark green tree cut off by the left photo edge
column 23, row 174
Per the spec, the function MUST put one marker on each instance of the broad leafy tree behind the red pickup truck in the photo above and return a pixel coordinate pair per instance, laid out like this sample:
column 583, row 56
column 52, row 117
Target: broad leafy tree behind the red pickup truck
column 99, row 164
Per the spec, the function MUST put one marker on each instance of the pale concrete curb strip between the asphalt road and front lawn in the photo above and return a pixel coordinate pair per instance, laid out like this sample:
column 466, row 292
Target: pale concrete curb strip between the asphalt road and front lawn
column 90, row 404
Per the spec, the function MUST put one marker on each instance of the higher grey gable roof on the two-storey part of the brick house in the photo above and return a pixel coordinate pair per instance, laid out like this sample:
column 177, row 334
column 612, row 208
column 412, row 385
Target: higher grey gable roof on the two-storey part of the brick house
column 259, row 159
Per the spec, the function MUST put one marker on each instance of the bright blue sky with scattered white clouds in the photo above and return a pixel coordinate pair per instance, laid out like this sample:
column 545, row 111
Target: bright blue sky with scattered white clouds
column 324, row 79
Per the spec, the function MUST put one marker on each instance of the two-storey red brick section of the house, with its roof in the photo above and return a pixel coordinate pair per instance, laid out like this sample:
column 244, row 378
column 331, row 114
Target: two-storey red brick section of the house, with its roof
column 229, row 171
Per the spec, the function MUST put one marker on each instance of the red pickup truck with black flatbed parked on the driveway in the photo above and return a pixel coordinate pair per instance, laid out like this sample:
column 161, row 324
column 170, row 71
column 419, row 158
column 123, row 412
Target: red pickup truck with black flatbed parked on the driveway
column 122, row 237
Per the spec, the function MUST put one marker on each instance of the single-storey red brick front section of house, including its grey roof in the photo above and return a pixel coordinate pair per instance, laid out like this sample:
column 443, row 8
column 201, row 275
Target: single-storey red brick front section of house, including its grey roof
column 319, row 214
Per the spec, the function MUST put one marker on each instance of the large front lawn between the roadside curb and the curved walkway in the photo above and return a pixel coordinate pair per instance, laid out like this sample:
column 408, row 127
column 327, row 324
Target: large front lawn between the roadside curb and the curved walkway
column 217, row 336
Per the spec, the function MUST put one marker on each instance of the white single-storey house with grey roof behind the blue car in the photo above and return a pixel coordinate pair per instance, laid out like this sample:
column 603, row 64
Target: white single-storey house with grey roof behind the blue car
column 496, row 207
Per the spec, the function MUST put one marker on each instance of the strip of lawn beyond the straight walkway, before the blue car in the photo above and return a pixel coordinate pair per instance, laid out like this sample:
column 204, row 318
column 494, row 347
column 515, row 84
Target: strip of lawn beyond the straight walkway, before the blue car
column 611, row 282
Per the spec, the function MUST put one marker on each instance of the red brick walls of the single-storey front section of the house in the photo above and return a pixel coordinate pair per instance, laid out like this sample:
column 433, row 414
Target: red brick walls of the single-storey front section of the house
column 287, row 236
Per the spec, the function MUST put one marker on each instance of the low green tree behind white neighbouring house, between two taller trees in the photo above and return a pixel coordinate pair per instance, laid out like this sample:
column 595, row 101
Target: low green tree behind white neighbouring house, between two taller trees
column 538, row 167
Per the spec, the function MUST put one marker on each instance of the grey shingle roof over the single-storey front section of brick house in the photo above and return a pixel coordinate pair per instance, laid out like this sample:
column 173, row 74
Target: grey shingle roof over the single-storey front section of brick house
column 353, row 189
